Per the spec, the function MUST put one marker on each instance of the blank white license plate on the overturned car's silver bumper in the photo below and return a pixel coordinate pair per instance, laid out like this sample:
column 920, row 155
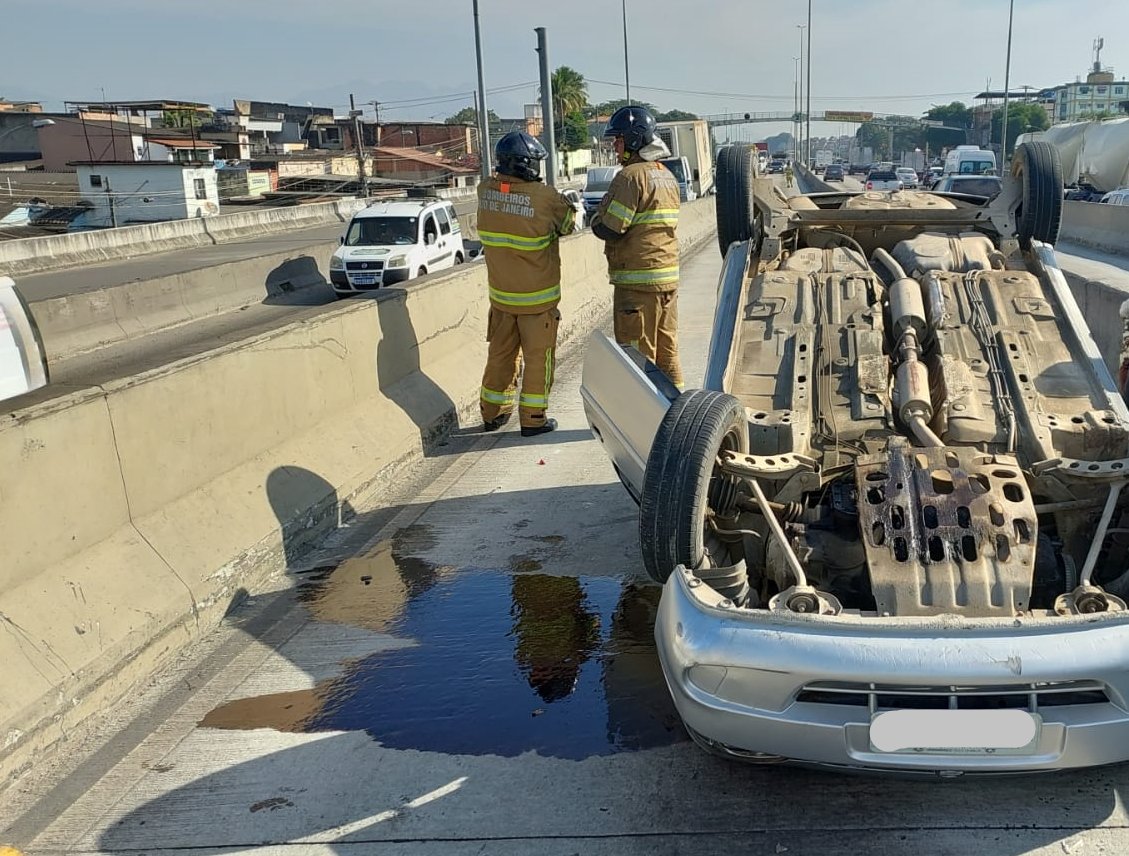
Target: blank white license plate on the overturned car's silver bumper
column 956, row 732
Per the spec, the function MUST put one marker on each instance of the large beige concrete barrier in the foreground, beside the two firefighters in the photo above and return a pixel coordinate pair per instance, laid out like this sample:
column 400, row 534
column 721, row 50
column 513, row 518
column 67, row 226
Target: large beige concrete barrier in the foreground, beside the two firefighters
column 134, row 513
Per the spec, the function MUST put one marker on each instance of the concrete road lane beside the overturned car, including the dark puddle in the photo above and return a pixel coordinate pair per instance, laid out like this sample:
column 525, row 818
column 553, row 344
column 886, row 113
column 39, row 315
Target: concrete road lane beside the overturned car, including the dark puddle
column 468, row 668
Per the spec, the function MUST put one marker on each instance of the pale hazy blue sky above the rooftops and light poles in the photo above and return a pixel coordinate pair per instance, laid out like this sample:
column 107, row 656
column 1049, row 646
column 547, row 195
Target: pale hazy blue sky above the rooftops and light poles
column 724, row 56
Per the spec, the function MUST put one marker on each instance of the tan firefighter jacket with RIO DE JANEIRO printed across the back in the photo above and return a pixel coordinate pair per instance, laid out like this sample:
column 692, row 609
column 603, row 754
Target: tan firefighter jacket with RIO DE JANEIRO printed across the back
column 519, row 225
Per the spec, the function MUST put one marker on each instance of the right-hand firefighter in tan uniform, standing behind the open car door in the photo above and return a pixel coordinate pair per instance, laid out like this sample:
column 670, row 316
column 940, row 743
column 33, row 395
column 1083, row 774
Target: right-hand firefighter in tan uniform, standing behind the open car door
column 637, row 221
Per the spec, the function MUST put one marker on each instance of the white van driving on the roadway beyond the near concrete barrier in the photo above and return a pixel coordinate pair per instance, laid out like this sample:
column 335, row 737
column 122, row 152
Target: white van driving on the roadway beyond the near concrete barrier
column 395, row 242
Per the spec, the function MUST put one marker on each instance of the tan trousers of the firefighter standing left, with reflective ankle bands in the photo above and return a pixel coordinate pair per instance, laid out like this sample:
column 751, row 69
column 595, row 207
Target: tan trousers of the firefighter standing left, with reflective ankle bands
column 515, row 339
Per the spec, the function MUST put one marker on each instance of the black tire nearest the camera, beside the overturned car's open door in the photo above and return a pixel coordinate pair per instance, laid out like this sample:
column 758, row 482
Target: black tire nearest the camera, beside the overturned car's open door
column 680, row 470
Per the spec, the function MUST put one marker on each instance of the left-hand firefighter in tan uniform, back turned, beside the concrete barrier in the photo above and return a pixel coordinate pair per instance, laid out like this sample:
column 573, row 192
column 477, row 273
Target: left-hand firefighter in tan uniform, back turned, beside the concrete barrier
column 520, row 222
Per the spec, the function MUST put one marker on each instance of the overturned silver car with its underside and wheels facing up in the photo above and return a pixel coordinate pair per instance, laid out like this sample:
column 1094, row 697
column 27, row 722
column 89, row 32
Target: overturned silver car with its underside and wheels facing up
column 891, row 529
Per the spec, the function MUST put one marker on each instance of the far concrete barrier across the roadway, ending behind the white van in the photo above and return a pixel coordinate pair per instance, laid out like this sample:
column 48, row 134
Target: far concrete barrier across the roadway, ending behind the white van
column 37, row 256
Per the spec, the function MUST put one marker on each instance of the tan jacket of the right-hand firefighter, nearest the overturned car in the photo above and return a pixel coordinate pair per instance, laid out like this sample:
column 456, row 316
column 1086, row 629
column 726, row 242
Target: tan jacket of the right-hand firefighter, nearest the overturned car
column 642, row 206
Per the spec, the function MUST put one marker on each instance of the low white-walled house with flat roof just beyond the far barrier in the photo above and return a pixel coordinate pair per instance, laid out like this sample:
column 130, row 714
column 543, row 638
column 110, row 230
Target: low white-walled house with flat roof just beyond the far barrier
column 134, row 193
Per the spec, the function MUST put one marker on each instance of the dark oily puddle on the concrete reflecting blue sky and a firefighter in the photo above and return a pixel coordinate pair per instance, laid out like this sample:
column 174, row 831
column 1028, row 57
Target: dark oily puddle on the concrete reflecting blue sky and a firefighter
column 504, row 663
